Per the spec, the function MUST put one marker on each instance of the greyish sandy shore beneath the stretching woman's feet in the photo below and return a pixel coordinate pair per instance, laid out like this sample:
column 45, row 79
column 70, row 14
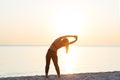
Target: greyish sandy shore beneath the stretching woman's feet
column 81, row 76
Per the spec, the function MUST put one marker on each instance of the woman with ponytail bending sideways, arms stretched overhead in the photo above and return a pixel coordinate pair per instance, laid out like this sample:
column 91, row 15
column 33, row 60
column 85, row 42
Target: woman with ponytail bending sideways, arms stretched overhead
column 52, row 52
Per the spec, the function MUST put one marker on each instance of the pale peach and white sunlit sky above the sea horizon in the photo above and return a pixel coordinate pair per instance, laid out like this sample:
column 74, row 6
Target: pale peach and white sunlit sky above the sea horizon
column 39, row 22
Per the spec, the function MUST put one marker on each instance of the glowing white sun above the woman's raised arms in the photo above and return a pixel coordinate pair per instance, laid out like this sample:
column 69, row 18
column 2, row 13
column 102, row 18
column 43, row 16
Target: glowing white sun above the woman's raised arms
column 69, row 22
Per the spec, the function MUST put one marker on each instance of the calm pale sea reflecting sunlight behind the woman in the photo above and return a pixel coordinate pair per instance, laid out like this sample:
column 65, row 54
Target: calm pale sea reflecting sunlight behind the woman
column 30, row 60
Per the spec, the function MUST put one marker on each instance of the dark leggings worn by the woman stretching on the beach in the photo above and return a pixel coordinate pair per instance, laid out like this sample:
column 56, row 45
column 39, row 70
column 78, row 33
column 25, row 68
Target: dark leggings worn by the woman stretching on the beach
column 52, row 55
